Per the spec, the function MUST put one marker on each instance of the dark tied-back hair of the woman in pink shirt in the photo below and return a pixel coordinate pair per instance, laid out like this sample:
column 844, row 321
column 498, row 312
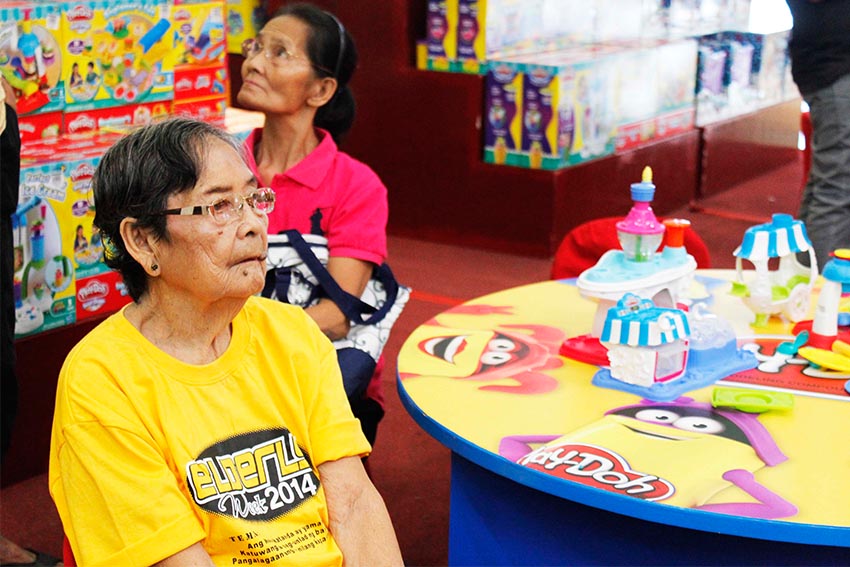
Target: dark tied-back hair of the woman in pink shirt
column 329, row 46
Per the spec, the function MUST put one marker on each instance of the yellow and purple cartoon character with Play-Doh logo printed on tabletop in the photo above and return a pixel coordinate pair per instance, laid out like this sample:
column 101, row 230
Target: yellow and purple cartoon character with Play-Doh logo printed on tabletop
column 683, row 453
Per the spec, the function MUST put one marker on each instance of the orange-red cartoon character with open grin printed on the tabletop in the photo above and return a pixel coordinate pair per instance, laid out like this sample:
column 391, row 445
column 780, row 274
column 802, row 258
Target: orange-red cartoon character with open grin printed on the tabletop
column 517, row 352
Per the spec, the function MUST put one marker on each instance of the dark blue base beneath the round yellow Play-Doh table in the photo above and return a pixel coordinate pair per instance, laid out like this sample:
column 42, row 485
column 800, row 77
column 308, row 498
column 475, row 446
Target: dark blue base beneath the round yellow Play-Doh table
column 496, row 521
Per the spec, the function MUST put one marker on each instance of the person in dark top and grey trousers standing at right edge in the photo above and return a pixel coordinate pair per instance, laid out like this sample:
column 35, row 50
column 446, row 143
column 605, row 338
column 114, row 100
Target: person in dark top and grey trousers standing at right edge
column 820, row 65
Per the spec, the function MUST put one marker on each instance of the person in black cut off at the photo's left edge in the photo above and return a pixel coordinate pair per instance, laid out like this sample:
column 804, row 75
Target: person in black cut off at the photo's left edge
column 10, row 170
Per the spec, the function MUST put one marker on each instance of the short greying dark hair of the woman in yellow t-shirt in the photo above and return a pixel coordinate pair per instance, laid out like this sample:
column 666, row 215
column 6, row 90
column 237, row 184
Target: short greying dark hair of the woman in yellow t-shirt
column 135, row 178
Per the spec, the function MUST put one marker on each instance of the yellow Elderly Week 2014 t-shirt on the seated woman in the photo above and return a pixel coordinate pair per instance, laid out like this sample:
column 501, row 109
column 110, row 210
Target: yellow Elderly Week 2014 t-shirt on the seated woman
column 150, row 455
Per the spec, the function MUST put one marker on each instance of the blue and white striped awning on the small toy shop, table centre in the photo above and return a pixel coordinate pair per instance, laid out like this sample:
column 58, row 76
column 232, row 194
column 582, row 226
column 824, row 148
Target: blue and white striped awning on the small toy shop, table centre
column 638, row 322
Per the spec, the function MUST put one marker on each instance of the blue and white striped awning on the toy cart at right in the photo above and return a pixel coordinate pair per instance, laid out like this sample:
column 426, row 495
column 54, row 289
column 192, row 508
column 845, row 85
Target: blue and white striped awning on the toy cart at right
column 780, row 237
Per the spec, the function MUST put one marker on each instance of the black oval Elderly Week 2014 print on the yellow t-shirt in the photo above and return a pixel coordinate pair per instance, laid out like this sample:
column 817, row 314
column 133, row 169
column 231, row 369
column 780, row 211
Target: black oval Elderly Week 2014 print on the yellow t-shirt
column 255, row 476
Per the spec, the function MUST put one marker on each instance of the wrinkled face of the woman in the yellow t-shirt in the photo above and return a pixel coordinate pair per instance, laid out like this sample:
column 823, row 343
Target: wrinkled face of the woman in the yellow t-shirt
column 208, row 260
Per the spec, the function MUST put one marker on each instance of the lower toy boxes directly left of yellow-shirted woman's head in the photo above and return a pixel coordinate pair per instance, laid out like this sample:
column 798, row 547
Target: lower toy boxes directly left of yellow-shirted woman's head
column 59, row 276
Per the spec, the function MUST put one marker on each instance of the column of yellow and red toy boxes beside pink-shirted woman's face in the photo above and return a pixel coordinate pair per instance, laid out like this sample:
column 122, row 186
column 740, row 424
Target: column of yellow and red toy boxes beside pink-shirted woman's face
column 200, row 74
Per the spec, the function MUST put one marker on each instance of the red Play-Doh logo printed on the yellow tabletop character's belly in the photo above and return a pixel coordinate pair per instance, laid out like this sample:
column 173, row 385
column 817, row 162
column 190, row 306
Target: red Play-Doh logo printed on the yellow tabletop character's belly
column 597, row 467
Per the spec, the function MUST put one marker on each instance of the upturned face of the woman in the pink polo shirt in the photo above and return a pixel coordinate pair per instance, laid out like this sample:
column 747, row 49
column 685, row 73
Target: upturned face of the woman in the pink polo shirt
column 279, row 78
